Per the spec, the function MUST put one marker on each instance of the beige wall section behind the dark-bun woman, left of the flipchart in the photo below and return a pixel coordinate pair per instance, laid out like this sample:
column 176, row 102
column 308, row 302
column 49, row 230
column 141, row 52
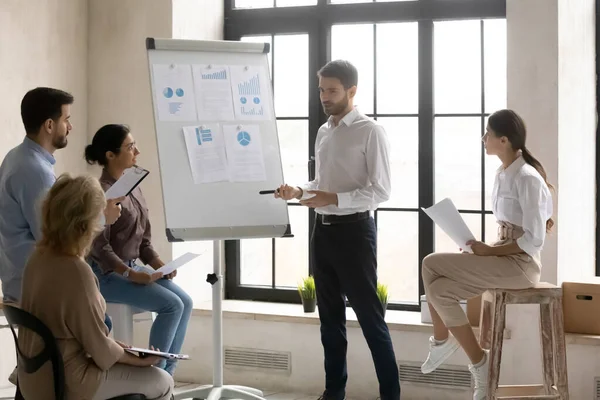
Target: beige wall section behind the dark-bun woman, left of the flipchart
column 119, row 90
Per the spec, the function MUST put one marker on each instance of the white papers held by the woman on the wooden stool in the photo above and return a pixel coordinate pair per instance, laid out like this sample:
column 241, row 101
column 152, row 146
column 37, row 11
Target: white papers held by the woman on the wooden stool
column 446, row 216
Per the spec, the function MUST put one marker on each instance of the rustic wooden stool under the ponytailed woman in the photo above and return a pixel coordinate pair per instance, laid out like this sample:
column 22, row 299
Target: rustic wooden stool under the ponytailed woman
column 493, row 312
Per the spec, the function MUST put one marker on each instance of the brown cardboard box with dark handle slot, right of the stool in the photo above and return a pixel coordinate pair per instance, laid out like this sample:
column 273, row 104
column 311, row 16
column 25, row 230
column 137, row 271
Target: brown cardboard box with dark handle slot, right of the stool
column 581, row 308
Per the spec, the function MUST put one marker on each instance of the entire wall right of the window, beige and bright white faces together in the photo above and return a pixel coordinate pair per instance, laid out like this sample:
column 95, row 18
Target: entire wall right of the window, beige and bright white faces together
column 551, row 83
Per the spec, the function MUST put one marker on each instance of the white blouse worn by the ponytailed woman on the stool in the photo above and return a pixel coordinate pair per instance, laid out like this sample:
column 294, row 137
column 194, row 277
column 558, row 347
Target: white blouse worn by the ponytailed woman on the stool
column 521, row 197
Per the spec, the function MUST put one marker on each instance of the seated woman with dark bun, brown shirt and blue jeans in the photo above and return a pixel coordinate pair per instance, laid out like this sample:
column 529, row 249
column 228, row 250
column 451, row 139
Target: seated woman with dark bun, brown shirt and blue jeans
column 114, row 252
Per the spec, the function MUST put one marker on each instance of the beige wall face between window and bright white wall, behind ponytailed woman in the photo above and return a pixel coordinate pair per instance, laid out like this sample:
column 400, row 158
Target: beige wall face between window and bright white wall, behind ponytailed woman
column 532, row 91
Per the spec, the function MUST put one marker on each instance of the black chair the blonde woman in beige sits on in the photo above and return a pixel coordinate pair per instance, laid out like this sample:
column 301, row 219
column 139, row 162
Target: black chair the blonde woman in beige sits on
column 17, row 317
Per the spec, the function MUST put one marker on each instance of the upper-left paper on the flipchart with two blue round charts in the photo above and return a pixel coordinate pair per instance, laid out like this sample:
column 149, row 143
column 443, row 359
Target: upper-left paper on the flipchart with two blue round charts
column 174, row 92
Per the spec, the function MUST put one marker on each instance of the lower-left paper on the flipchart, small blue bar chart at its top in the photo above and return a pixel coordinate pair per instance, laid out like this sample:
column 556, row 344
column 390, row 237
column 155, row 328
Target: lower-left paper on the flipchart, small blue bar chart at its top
column 206, row 153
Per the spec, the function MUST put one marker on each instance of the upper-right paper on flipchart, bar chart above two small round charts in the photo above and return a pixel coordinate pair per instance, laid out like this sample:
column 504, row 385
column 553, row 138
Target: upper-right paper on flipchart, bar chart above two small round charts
column 250, row 87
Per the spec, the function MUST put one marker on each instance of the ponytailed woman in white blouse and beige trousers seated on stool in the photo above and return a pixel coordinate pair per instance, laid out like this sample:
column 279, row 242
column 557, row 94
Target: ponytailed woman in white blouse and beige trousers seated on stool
column 522, row 205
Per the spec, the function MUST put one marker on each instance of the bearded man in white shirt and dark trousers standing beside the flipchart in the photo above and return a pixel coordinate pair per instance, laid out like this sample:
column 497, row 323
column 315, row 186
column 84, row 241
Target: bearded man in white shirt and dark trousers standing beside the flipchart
column 352, row 179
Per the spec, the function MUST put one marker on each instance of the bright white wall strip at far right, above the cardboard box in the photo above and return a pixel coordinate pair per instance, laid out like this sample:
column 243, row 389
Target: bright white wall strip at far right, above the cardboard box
column 577, row 139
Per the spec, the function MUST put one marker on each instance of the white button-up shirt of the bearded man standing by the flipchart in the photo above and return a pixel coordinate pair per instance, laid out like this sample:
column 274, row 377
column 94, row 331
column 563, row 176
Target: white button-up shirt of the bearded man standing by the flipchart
column 352, row 159
